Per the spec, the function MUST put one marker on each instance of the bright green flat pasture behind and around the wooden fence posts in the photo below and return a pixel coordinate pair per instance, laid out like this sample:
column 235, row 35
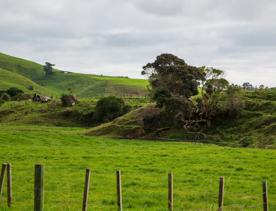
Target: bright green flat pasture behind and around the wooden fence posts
column 66, row 152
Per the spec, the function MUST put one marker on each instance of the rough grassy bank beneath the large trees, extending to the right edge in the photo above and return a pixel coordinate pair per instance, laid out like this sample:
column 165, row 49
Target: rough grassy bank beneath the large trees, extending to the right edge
column 255, row 127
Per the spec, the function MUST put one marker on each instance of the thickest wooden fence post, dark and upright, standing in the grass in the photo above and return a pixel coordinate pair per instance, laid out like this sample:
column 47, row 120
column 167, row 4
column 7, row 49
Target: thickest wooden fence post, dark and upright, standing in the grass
column 39, row 188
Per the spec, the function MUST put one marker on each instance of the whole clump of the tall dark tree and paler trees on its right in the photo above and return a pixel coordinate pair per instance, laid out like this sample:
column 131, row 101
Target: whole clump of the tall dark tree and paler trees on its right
column 173, row 83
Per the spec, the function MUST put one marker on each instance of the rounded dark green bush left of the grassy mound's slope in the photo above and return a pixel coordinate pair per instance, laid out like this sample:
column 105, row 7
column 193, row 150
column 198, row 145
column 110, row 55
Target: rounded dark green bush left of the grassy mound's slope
column 109, row 108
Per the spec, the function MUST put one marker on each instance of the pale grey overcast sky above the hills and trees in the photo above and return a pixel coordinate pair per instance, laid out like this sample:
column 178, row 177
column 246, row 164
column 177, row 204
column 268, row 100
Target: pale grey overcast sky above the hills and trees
column 117, row 37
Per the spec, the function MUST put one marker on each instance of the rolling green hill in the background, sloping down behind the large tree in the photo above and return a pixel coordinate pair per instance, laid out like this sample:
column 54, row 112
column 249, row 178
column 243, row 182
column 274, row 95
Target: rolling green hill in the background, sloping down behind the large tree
column 83, row 85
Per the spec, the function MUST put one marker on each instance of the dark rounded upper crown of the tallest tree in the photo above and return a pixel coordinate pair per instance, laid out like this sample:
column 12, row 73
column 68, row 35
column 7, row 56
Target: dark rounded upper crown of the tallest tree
column 173, row 75
